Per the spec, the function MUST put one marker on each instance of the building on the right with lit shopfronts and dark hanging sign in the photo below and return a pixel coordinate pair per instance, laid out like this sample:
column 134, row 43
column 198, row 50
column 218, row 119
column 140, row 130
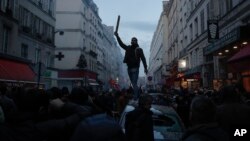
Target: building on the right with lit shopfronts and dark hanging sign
column 203, row 38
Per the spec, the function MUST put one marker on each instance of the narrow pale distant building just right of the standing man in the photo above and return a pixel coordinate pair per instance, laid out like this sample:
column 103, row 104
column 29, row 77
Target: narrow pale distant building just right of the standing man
column 158, row 58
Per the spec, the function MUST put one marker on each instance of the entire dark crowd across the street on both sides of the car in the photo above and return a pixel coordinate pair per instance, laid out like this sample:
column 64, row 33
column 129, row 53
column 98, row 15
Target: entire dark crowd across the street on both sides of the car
column 31, row 114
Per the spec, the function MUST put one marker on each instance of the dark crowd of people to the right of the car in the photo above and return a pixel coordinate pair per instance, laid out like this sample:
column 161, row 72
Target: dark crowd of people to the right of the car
column 211, row 115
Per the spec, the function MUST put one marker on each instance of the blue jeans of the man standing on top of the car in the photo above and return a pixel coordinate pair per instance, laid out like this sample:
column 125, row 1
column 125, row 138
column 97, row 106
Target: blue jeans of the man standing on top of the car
column 133, row 74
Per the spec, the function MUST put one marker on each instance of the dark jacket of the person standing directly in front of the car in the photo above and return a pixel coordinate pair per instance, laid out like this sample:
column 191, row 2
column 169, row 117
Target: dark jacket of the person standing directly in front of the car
column 139, row 125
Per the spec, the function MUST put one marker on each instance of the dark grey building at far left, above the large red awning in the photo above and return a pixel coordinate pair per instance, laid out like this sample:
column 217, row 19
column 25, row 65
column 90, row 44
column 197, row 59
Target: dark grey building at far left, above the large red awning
column 27, row 32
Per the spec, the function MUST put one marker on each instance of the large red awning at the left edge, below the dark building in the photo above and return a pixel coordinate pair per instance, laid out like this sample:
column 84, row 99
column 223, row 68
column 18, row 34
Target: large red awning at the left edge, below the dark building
column 11, row 70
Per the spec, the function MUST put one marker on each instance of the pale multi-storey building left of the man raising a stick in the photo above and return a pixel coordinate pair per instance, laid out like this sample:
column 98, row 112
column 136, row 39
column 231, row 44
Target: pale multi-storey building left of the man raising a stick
column 87, row 47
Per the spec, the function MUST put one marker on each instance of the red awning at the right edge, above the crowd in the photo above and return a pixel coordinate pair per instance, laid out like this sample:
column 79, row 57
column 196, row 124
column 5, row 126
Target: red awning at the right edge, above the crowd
column 242, row 54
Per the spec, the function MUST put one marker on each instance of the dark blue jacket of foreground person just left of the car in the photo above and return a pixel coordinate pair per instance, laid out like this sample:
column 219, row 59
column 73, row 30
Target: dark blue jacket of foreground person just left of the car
column 99, row 127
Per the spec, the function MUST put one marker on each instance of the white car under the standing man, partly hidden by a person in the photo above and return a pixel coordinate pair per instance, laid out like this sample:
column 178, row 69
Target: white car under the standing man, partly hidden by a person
column 167, row 124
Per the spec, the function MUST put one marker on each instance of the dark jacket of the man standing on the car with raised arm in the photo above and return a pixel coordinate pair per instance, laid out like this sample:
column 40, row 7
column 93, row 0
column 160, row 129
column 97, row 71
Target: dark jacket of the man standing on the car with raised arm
column 133, row 55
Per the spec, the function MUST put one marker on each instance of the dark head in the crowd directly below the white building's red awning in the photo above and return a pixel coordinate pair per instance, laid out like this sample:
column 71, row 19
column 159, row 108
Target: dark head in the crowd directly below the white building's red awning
column 78, row 95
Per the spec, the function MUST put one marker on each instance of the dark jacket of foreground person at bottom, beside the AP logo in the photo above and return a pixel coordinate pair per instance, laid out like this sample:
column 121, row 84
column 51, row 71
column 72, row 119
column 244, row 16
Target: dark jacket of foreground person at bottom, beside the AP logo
column 205, row 132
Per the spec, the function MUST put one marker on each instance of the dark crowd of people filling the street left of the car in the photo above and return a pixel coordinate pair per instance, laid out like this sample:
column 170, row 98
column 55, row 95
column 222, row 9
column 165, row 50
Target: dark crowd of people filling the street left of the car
column 31, row 114
